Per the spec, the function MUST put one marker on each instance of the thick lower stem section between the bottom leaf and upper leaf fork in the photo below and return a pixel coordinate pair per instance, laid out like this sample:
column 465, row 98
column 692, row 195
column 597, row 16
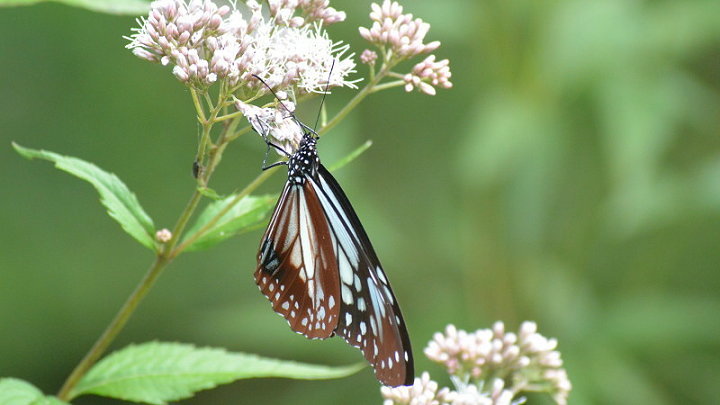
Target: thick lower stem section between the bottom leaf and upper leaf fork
column 113, row 329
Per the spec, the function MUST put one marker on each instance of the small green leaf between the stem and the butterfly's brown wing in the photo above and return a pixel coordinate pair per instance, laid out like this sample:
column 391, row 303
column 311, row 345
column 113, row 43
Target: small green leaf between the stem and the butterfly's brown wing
column 249, row 211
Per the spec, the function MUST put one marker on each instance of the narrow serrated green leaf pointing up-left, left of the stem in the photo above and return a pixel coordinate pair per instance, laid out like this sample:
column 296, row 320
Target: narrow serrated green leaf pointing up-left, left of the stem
column 121, row 204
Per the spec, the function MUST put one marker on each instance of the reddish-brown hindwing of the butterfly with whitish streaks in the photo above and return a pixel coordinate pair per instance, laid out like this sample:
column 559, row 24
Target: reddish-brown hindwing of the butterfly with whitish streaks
column 297, row 269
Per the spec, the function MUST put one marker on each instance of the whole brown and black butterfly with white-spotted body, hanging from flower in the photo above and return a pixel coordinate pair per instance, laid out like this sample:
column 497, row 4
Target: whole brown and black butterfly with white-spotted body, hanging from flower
column 319, row 270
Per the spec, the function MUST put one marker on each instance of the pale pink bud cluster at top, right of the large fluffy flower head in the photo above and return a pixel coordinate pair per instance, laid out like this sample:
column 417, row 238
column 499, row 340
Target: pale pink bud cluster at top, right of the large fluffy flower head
column 400, row 31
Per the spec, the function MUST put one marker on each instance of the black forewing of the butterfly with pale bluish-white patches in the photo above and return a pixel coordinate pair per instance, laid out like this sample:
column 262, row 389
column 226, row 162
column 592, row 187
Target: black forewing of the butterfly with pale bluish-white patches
column 370, row 317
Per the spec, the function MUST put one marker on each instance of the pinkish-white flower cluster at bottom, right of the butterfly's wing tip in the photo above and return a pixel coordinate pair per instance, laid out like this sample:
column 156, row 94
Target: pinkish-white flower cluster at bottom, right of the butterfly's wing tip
column 527, row 359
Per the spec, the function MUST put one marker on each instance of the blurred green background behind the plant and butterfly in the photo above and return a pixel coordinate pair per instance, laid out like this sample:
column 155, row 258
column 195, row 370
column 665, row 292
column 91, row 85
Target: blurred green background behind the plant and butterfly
column 571, row 176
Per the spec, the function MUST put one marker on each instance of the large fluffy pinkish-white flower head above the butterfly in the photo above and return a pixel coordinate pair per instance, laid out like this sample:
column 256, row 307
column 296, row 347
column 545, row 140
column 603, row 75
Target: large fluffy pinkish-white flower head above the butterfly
column 207, row 43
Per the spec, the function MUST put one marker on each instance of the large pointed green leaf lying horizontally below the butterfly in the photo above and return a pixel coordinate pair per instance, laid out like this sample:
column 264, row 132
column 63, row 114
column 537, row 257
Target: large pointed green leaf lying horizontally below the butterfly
column 156, row 372
